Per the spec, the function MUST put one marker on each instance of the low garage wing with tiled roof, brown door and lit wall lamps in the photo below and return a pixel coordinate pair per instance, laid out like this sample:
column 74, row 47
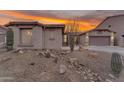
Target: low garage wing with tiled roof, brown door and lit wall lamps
column 97, row 37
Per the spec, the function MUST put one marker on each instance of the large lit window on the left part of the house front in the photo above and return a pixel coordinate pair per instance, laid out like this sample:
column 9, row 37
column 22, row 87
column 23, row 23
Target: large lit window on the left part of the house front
column 26, row 36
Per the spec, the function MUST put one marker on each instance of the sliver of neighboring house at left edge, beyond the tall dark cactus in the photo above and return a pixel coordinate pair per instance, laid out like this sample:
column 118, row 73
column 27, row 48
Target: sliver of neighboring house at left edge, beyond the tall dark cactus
column 3, row 31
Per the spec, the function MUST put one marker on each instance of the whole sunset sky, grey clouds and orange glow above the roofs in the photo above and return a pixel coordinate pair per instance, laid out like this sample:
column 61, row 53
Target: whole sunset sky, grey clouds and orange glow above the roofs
column 87, row 19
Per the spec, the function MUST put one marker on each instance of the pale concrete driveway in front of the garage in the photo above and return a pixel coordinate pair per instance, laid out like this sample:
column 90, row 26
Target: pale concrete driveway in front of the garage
column 109, row 49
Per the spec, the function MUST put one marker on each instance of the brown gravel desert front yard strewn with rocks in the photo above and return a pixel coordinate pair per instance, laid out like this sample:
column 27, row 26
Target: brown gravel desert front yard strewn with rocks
column 55, row 66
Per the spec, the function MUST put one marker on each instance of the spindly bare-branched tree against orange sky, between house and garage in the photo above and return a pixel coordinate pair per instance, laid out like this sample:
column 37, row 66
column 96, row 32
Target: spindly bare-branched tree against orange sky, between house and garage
column 70, row 28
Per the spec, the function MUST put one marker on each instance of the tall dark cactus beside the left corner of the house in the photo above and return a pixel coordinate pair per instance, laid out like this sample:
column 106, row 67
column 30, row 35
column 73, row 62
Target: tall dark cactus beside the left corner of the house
column 9, row 40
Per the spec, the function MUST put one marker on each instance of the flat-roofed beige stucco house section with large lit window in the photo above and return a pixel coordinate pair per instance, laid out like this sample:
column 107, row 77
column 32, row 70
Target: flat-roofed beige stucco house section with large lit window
column 33, row 35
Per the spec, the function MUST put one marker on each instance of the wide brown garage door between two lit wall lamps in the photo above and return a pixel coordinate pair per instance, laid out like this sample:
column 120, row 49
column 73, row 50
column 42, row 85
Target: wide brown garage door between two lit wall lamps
column 99, row 40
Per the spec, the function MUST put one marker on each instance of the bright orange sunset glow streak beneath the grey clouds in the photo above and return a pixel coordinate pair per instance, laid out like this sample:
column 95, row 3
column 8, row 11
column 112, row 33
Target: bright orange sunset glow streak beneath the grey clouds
column 84, row 25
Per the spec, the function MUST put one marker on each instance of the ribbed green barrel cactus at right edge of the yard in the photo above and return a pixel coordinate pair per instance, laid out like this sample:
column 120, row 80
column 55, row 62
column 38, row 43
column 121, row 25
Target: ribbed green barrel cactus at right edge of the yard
column 116, row 63
